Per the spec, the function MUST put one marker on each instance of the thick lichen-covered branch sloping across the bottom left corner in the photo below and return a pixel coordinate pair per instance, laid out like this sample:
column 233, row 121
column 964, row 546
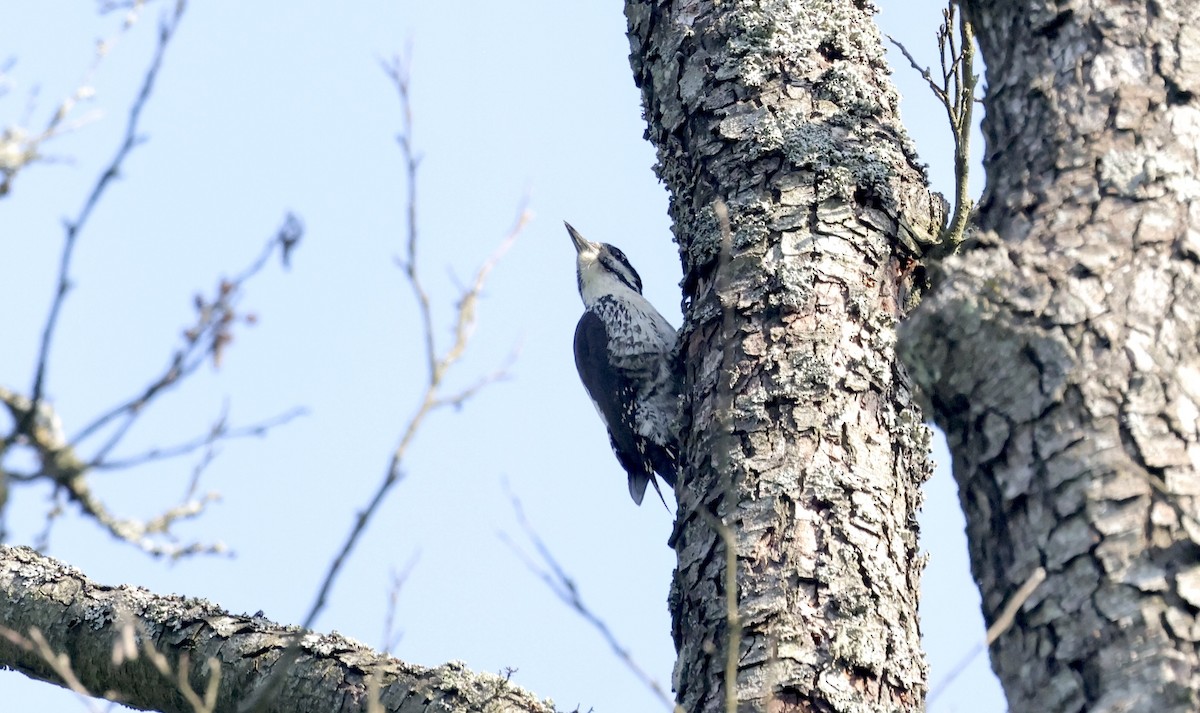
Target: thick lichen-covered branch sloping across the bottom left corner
column 328, row 674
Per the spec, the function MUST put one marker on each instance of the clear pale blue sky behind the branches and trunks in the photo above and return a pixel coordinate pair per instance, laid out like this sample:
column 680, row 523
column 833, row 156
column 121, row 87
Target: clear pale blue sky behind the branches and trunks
column 267, row 107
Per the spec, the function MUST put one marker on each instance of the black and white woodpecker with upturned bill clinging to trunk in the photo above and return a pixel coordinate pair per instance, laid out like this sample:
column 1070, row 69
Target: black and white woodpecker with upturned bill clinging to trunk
column 623, row 353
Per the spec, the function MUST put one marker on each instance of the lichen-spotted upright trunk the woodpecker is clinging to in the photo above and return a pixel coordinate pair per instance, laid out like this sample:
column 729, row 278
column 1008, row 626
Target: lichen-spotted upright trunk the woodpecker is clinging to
column 801, row 435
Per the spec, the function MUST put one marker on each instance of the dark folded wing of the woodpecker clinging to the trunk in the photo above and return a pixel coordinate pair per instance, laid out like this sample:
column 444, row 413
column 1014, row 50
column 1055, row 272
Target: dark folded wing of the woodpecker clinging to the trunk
column 615, row 396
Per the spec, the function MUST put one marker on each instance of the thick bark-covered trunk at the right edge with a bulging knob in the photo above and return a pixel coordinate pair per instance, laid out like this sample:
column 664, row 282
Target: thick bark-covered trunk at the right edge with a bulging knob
column 1060, row 352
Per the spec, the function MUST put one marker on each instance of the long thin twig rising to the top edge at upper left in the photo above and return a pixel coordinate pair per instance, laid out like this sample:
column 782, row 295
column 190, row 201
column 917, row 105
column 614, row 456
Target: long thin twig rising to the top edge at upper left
column 166, row 33
